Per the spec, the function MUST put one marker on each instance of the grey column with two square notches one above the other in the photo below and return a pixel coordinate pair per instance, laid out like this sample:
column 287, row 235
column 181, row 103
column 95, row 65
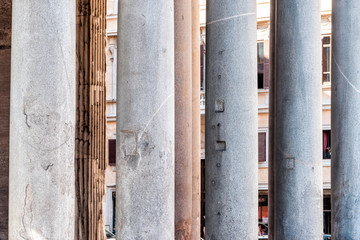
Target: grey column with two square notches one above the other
column 231, row 121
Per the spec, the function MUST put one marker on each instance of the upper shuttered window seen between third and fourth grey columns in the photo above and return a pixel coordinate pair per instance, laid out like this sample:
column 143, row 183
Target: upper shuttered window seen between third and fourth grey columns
column 263, row 64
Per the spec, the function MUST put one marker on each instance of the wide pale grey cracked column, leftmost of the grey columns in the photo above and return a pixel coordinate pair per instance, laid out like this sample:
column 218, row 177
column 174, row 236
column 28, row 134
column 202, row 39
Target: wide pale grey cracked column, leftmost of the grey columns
column 42, row 122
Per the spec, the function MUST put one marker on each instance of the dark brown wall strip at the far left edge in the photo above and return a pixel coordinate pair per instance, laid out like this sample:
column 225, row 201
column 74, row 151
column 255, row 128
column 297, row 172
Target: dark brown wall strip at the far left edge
column 5, row 59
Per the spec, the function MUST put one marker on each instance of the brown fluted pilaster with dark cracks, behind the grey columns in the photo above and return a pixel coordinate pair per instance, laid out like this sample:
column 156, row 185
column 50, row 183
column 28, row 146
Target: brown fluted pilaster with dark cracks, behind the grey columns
column 90, row 123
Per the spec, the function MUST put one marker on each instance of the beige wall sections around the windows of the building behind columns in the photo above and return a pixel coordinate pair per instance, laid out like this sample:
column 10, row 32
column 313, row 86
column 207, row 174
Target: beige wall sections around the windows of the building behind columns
column 263, row 13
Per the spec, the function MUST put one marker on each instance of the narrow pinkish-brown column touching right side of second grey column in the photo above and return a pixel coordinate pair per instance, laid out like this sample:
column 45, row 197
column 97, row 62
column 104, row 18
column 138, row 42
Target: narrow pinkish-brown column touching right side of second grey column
column 183, row 119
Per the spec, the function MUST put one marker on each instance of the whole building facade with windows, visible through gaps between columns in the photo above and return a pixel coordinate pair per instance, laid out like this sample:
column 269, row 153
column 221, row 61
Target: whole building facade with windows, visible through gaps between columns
column 263, row 46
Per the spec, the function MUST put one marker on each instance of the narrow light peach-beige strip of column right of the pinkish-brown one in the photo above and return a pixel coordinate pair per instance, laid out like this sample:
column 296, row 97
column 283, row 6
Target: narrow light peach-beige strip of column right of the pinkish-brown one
column 196, row 121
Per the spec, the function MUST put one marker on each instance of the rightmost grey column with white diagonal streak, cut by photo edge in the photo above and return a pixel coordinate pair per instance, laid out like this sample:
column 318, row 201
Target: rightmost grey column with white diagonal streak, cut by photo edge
column 345, row 115
